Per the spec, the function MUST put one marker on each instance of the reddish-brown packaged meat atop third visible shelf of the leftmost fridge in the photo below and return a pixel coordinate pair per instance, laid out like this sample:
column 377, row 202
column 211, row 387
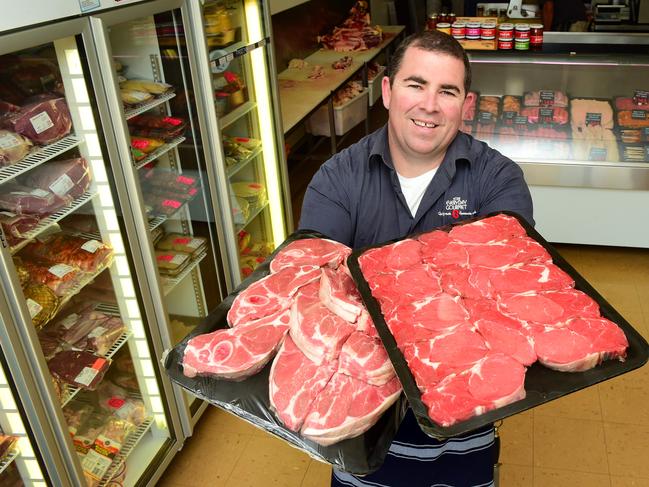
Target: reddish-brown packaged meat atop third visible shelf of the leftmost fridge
column 87, row 254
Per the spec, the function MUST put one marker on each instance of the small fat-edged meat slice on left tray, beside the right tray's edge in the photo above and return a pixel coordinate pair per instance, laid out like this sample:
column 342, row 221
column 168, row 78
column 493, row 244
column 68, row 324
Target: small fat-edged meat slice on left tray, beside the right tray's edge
column 339, row 294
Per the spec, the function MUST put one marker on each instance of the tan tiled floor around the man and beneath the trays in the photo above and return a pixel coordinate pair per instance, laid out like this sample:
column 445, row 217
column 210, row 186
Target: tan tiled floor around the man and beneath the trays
column 596, row 437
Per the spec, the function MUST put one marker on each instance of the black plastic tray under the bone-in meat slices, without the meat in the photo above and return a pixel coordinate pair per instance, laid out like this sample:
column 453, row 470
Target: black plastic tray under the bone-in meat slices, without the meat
column 248, row 399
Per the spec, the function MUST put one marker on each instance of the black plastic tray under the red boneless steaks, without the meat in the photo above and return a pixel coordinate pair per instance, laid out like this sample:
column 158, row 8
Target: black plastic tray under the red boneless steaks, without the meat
column 541, row 384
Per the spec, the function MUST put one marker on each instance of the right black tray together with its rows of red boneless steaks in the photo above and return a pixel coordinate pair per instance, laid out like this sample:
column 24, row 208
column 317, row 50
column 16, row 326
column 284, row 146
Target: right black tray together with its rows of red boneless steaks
column 530, row 328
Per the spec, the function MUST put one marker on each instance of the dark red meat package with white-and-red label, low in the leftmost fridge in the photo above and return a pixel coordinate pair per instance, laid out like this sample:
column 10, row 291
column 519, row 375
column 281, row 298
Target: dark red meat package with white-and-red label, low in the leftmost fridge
column 79, row 368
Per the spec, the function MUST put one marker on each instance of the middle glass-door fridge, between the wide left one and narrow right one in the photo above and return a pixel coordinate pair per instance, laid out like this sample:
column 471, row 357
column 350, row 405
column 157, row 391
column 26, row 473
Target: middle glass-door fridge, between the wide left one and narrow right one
column 166, row 178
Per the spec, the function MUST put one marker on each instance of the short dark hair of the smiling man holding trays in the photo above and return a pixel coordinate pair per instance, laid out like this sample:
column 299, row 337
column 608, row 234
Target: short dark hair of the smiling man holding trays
column 433, row 41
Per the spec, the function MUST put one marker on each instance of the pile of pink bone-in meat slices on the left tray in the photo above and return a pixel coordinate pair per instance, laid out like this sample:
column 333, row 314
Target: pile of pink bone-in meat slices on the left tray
column 331, row 378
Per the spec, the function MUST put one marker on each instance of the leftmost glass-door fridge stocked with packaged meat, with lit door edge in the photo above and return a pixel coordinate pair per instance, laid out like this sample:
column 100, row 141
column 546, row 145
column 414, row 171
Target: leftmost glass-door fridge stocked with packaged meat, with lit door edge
column 68, row 270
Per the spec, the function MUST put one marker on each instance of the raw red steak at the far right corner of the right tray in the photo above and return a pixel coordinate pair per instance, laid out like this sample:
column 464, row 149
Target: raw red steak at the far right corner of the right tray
column 580, row 345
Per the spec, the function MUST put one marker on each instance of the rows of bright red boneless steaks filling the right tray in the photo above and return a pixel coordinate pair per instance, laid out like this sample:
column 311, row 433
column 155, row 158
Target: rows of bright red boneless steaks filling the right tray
column 472, row 308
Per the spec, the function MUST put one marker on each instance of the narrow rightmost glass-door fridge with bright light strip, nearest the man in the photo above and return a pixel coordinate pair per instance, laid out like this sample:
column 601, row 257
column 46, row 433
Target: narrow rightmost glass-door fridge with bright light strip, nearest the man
column 234, row 57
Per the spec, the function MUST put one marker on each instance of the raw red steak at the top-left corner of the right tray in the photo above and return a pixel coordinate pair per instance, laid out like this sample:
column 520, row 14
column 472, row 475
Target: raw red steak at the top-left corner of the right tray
column 398, row 256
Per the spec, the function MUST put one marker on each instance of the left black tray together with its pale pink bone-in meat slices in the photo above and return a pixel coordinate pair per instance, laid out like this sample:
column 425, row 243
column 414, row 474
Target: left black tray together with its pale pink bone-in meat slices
column 297, row 328
